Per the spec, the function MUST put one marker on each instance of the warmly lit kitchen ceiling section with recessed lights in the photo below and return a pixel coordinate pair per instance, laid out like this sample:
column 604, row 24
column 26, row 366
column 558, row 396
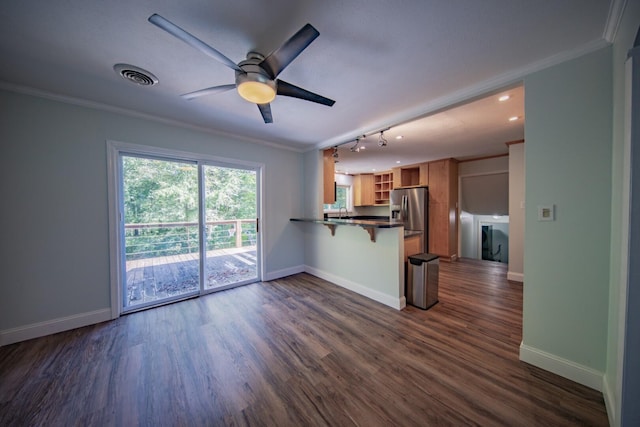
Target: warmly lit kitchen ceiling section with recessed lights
column 475, row 129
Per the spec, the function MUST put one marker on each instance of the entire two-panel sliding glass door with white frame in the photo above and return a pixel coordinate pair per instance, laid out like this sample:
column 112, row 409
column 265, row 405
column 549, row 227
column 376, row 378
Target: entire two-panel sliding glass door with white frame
column 186, row 226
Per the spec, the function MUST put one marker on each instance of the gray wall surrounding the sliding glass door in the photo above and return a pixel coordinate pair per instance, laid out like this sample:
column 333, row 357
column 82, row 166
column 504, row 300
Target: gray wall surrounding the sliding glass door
column 54, row 251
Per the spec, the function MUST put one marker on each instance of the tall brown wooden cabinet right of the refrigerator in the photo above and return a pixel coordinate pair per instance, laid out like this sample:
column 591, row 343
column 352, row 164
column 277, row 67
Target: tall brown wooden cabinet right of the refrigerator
column 443, row 212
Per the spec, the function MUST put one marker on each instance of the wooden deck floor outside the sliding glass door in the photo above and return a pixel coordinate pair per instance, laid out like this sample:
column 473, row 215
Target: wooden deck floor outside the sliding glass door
column 153, row 279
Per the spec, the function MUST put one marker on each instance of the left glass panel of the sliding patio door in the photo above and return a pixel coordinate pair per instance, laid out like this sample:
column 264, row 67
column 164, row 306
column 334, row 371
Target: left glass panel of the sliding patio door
column 161, row 239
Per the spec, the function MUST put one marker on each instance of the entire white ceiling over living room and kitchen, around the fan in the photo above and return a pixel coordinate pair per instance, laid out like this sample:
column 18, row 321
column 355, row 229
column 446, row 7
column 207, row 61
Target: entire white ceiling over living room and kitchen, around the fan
column 383, row 62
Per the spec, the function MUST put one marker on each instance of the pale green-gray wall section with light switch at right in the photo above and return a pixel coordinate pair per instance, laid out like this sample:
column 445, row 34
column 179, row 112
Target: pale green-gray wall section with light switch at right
column 568, row 163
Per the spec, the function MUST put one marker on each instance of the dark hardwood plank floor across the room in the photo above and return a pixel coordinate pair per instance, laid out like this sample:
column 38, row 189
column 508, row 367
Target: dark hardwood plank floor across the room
column 298, row 352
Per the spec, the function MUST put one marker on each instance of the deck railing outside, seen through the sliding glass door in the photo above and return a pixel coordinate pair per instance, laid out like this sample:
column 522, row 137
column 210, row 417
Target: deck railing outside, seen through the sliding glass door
column 152, row 240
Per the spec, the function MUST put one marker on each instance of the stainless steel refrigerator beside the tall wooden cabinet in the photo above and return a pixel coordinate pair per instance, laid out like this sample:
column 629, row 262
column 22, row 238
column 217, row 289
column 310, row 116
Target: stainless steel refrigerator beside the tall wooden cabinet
column 411, row 206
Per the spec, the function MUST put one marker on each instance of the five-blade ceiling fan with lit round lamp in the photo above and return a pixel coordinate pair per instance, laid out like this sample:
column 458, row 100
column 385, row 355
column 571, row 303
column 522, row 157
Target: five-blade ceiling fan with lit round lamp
column 255, row 76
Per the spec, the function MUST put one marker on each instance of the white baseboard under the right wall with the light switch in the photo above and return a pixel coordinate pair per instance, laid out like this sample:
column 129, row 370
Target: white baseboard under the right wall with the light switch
column 565, row 368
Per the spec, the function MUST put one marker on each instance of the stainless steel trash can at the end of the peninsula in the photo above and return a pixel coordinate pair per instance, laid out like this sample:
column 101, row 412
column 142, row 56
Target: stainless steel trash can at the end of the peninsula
column 422, row 283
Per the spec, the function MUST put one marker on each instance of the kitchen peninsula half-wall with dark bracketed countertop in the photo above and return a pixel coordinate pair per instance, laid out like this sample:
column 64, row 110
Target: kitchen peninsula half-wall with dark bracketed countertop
column 372, row 265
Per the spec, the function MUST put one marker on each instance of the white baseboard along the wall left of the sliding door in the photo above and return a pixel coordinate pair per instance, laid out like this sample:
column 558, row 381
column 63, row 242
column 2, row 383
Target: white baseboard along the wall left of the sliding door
column 40, row 329
